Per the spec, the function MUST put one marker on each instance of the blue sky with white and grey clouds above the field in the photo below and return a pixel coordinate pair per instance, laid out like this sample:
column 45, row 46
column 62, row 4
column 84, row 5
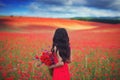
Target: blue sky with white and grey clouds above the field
column 61, row 8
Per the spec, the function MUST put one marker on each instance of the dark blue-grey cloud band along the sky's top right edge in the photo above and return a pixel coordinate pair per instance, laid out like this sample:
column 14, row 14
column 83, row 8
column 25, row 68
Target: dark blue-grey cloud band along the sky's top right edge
column 101, row 4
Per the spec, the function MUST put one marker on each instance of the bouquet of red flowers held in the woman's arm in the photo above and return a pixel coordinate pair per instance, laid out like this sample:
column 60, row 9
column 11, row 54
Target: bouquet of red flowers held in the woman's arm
column 47, row 58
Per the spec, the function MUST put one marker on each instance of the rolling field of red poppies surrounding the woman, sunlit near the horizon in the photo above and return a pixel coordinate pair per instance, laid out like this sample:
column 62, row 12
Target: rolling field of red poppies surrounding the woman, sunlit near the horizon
column 95, row 49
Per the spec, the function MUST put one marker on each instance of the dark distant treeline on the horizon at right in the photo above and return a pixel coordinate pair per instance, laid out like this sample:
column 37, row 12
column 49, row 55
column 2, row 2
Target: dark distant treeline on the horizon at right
column 112, row 20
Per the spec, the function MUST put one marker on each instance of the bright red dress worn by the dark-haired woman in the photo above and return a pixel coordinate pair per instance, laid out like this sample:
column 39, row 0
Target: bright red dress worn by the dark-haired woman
column 61, row 73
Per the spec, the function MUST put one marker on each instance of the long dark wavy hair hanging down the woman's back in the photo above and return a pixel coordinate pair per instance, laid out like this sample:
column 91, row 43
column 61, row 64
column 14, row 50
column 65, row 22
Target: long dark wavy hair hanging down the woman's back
column 61, row 42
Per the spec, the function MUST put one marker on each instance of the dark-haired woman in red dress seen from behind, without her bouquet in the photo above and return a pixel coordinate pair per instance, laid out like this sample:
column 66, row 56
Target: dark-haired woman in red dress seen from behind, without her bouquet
column 62, row 50
